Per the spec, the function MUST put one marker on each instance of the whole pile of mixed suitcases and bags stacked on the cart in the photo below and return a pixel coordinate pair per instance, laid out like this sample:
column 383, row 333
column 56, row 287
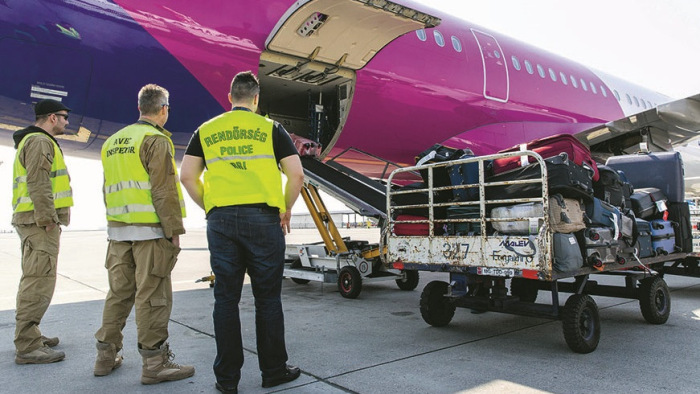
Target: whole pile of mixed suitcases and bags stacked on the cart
column 630, row 208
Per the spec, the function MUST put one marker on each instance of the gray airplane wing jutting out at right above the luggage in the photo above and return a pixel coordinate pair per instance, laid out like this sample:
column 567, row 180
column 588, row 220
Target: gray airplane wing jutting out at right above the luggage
column 656, row 130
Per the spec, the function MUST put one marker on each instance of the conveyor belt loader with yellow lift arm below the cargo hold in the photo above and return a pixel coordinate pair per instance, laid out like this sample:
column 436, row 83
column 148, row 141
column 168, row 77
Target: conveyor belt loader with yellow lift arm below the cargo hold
column 336, row 259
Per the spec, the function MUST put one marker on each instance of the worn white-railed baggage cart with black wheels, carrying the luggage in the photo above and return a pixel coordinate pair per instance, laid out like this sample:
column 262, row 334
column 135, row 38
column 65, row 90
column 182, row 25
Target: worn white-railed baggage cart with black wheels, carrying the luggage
column 480, row 263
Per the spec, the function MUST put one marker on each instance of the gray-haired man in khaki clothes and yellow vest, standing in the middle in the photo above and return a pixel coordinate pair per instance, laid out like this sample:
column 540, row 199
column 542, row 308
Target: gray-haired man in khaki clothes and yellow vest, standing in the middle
column 144, row 215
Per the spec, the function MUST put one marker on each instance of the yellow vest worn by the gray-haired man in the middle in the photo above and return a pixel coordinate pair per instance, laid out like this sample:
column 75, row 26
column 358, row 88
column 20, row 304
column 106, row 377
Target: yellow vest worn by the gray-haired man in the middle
column 127, row 187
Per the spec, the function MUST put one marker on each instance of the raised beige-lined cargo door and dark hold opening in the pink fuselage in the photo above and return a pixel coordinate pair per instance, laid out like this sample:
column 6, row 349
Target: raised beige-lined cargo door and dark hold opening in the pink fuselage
column 307, row 73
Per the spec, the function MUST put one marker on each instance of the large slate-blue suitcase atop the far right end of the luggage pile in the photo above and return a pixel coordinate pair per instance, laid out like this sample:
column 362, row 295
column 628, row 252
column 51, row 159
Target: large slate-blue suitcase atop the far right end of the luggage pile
column 662, row 170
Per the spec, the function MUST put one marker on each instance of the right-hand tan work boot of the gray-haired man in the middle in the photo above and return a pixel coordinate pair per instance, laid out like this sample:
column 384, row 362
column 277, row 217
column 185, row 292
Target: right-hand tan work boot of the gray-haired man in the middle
column 158, row 366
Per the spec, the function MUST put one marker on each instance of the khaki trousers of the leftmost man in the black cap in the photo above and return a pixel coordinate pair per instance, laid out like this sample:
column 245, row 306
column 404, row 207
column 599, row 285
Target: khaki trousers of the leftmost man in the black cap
column 39, row 257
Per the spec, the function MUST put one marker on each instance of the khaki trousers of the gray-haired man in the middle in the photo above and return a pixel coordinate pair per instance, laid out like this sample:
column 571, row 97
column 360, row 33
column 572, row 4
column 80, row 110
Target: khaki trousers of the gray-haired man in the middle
column 139, row 274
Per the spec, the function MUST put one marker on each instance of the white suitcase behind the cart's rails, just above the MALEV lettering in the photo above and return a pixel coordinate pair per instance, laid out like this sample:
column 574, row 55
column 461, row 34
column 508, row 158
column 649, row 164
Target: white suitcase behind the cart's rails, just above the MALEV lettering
column 532, row 211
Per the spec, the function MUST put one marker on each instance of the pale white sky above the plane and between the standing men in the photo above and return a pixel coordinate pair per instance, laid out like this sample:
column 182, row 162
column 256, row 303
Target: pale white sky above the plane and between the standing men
column 655, row 44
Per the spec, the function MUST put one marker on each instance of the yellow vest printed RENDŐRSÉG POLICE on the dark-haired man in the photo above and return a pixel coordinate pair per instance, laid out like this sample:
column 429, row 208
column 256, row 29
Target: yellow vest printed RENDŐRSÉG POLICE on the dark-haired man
column 240, row 159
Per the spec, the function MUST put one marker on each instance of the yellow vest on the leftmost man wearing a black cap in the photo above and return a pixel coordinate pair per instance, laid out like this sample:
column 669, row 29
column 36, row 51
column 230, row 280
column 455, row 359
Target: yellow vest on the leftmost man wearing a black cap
column 60, row 180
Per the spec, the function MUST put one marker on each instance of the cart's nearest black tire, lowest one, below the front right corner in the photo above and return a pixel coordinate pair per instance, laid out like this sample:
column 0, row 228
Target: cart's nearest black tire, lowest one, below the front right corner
column 581, row 323
